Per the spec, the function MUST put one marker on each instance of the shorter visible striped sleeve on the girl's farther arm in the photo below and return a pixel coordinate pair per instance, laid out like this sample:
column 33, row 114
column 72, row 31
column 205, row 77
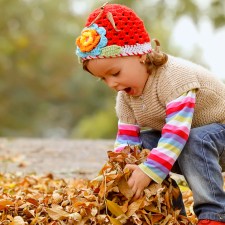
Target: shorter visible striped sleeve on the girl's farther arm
column 127, row 135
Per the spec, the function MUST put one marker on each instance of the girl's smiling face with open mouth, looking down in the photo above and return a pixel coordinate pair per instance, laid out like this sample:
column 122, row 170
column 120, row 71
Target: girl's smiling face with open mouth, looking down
column 122, row 73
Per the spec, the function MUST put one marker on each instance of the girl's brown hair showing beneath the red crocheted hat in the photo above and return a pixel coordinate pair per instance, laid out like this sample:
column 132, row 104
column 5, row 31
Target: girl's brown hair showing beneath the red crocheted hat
column 154, row 59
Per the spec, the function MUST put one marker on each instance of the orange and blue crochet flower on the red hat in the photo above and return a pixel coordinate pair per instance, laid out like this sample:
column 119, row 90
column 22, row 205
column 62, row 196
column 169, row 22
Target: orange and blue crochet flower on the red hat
column 91, row 41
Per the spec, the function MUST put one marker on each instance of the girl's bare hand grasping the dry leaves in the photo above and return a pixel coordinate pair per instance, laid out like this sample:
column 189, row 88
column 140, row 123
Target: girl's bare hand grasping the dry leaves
column 138, row 180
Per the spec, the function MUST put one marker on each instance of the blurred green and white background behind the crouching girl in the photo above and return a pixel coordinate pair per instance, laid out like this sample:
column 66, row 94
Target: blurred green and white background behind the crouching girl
column 43, row 90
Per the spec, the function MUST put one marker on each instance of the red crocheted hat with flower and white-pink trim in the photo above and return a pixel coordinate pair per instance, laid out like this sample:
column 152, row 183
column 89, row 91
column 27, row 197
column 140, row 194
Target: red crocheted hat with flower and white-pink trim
column 111, row 31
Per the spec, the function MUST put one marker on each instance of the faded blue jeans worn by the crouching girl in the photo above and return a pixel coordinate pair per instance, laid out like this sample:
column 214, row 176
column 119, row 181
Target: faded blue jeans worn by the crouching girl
column 201, row 162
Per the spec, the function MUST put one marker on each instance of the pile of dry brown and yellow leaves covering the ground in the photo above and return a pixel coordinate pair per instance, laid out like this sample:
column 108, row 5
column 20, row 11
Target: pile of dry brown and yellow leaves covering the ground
column 105, row 200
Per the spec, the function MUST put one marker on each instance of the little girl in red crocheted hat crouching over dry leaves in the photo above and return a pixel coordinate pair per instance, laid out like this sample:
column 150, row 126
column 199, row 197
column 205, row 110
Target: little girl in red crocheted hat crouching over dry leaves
column 181, row 102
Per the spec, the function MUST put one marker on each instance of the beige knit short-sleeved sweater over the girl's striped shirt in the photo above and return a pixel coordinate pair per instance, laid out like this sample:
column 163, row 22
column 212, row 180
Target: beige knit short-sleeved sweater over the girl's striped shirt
column 166, row 84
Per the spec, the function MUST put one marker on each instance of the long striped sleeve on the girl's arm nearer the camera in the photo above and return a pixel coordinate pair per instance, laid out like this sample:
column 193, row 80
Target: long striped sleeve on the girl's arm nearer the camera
column 175, row 133
